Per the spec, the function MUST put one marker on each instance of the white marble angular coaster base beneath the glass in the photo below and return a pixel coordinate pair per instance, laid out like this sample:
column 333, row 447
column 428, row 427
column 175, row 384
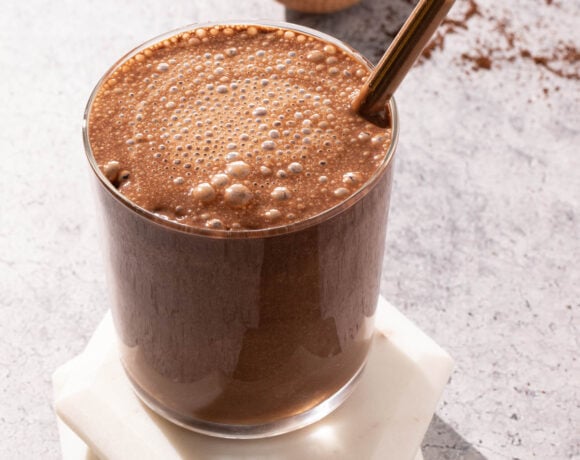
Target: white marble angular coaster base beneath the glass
column 385, row 418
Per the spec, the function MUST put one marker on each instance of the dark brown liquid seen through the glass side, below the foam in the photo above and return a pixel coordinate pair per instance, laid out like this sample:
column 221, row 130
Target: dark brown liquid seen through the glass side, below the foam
column 246, row 330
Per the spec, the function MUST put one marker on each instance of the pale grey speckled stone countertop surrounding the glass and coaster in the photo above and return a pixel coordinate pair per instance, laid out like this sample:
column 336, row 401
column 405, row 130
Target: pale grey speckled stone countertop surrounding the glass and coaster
column 483, row 247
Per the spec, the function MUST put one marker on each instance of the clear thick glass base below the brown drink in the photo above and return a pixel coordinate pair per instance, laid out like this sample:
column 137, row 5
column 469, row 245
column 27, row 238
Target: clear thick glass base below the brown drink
column 264, row 430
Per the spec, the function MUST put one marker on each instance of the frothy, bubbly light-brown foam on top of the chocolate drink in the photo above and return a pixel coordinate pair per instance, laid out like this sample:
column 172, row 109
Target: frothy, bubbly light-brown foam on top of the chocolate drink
column 235, row 127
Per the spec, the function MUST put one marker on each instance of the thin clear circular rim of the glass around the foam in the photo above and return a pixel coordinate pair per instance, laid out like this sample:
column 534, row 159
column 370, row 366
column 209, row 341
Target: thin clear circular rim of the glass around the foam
column 327, row 214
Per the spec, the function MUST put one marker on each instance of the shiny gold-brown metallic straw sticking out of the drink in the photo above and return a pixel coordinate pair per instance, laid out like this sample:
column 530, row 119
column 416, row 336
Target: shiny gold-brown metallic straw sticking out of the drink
column 399, row 58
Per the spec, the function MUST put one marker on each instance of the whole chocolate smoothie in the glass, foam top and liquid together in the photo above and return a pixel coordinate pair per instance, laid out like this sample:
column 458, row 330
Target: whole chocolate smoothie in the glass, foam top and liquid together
column 245, row 208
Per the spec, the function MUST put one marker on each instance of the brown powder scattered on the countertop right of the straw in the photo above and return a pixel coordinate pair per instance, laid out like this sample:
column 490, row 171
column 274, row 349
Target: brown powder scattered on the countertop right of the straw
column 506, row 42
